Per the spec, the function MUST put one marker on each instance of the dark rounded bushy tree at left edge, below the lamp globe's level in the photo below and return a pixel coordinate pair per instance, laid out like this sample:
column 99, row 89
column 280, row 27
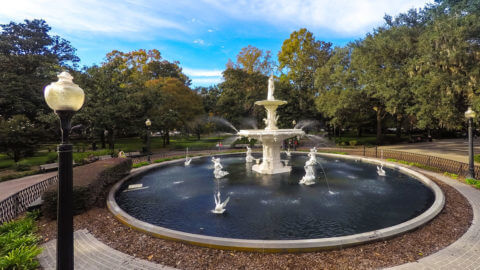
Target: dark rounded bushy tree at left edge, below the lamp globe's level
column 19, row 137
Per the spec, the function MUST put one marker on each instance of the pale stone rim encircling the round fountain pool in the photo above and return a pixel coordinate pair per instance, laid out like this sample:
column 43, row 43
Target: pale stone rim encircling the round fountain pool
column 302, row 245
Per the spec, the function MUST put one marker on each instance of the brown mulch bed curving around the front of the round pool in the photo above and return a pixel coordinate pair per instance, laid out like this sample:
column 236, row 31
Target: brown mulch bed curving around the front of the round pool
column 447, row 227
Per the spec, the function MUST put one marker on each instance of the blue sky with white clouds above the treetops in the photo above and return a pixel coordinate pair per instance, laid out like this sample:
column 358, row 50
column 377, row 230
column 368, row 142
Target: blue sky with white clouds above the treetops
column 201, row 34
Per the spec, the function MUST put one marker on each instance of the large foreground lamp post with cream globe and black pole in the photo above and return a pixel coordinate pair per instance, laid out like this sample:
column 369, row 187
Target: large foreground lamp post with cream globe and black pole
column 65, row 98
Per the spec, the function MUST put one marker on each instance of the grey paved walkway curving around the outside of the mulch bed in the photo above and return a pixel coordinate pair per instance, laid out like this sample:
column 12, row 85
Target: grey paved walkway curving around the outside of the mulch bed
column 462, row 254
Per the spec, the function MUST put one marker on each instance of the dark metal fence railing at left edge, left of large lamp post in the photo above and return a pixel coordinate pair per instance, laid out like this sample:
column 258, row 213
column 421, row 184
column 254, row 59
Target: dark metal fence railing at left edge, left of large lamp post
column 20, row 201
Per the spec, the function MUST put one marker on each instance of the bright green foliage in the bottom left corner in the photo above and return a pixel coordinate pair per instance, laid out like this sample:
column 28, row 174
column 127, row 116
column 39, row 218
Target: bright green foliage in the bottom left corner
column 18, row 244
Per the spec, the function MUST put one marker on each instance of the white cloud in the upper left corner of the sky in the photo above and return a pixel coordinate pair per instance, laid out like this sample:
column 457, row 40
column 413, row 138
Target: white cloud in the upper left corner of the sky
column 108, row 17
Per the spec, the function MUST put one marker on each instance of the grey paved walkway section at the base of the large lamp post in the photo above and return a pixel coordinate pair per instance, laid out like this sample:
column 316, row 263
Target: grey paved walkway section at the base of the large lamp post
column 92, row 254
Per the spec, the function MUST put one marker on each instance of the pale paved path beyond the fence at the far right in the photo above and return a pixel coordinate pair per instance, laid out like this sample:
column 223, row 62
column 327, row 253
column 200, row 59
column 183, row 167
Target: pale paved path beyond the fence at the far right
column 455, row 149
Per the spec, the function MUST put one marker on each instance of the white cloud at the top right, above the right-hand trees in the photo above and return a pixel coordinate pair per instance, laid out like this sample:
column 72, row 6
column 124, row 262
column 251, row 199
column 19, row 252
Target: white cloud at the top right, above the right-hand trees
column 340, row 16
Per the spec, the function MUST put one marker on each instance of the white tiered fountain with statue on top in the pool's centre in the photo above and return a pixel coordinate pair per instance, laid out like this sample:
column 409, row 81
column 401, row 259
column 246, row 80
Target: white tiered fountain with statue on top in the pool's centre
column 271, row 137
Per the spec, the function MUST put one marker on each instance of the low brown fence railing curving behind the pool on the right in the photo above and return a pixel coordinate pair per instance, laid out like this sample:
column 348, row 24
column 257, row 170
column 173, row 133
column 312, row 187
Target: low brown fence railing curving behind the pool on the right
column 442, row 164
